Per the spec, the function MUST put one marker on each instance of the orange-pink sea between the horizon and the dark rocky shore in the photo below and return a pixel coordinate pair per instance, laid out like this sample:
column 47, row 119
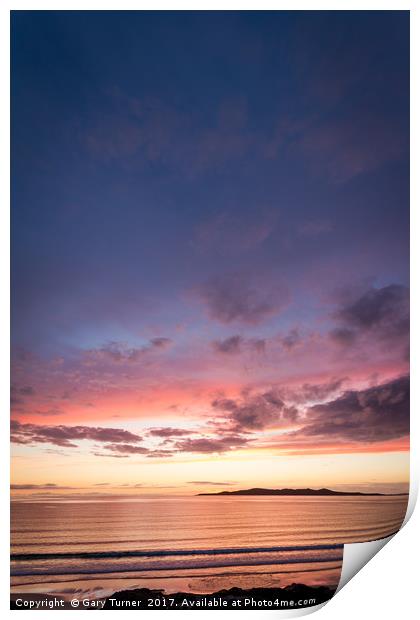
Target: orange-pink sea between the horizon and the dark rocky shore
column 194, row 544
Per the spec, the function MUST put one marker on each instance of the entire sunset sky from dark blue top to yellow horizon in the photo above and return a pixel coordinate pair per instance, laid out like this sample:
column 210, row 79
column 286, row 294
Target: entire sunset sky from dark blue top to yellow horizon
column 210, row 242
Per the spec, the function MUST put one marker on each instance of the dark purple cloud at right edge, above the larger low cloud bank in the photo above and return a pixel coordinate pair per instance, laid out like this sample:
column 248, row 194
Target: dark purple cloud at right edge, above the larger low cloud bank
column 383, row 312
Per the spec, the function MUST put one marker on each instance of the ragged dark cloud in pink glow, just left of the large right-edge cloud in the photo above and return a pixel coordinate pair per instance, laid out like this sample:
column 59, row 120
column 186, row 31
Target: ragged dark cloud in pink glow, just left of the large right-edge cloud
column 256, row 411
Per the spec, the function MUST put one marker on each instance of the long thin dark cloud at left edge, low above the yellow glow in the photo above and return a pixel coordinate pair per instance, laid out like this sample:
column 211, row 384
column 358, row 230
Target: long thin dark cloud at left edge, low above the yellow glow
column 65, row 435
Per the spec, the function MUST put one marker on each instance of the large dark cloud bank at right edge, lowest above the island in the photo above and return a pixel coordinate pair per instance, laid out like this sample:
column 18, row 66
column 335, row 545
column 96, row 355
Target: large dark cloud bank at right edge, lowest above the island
column 375, row 414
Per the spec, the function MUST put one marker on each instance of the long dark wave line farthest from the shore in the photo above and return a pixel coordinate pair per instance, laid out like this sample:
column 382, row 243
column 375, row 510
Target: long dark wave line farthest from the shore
column 166, row 552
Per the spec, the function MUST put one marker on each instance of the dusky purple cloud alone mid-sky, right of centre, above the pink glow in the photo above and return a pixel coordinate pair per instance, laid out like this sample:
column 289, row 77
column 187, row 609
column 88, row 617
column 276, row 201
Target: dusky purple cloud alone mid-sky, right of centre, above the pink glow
column 234, row 298
